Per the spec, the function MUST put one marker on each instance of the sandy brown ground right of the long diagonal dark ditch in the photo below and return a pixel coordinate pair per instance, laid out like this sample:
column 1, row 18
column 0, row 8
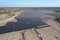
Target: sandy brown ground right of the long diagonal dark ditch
column 52, row 32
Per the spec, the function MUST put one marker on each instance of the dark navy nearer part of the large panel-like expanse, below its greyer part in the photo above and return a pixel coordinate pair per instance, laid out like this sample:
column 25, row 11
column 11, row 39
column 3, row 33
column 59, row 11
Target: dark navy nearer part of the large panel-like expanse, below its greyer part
column 21, row 24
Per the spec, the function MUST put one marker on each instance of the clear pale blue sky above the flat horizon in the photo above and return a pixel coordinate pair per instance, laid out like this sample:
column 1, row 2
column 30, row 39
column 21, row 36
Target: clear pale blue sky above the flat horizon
column 29, row 3
